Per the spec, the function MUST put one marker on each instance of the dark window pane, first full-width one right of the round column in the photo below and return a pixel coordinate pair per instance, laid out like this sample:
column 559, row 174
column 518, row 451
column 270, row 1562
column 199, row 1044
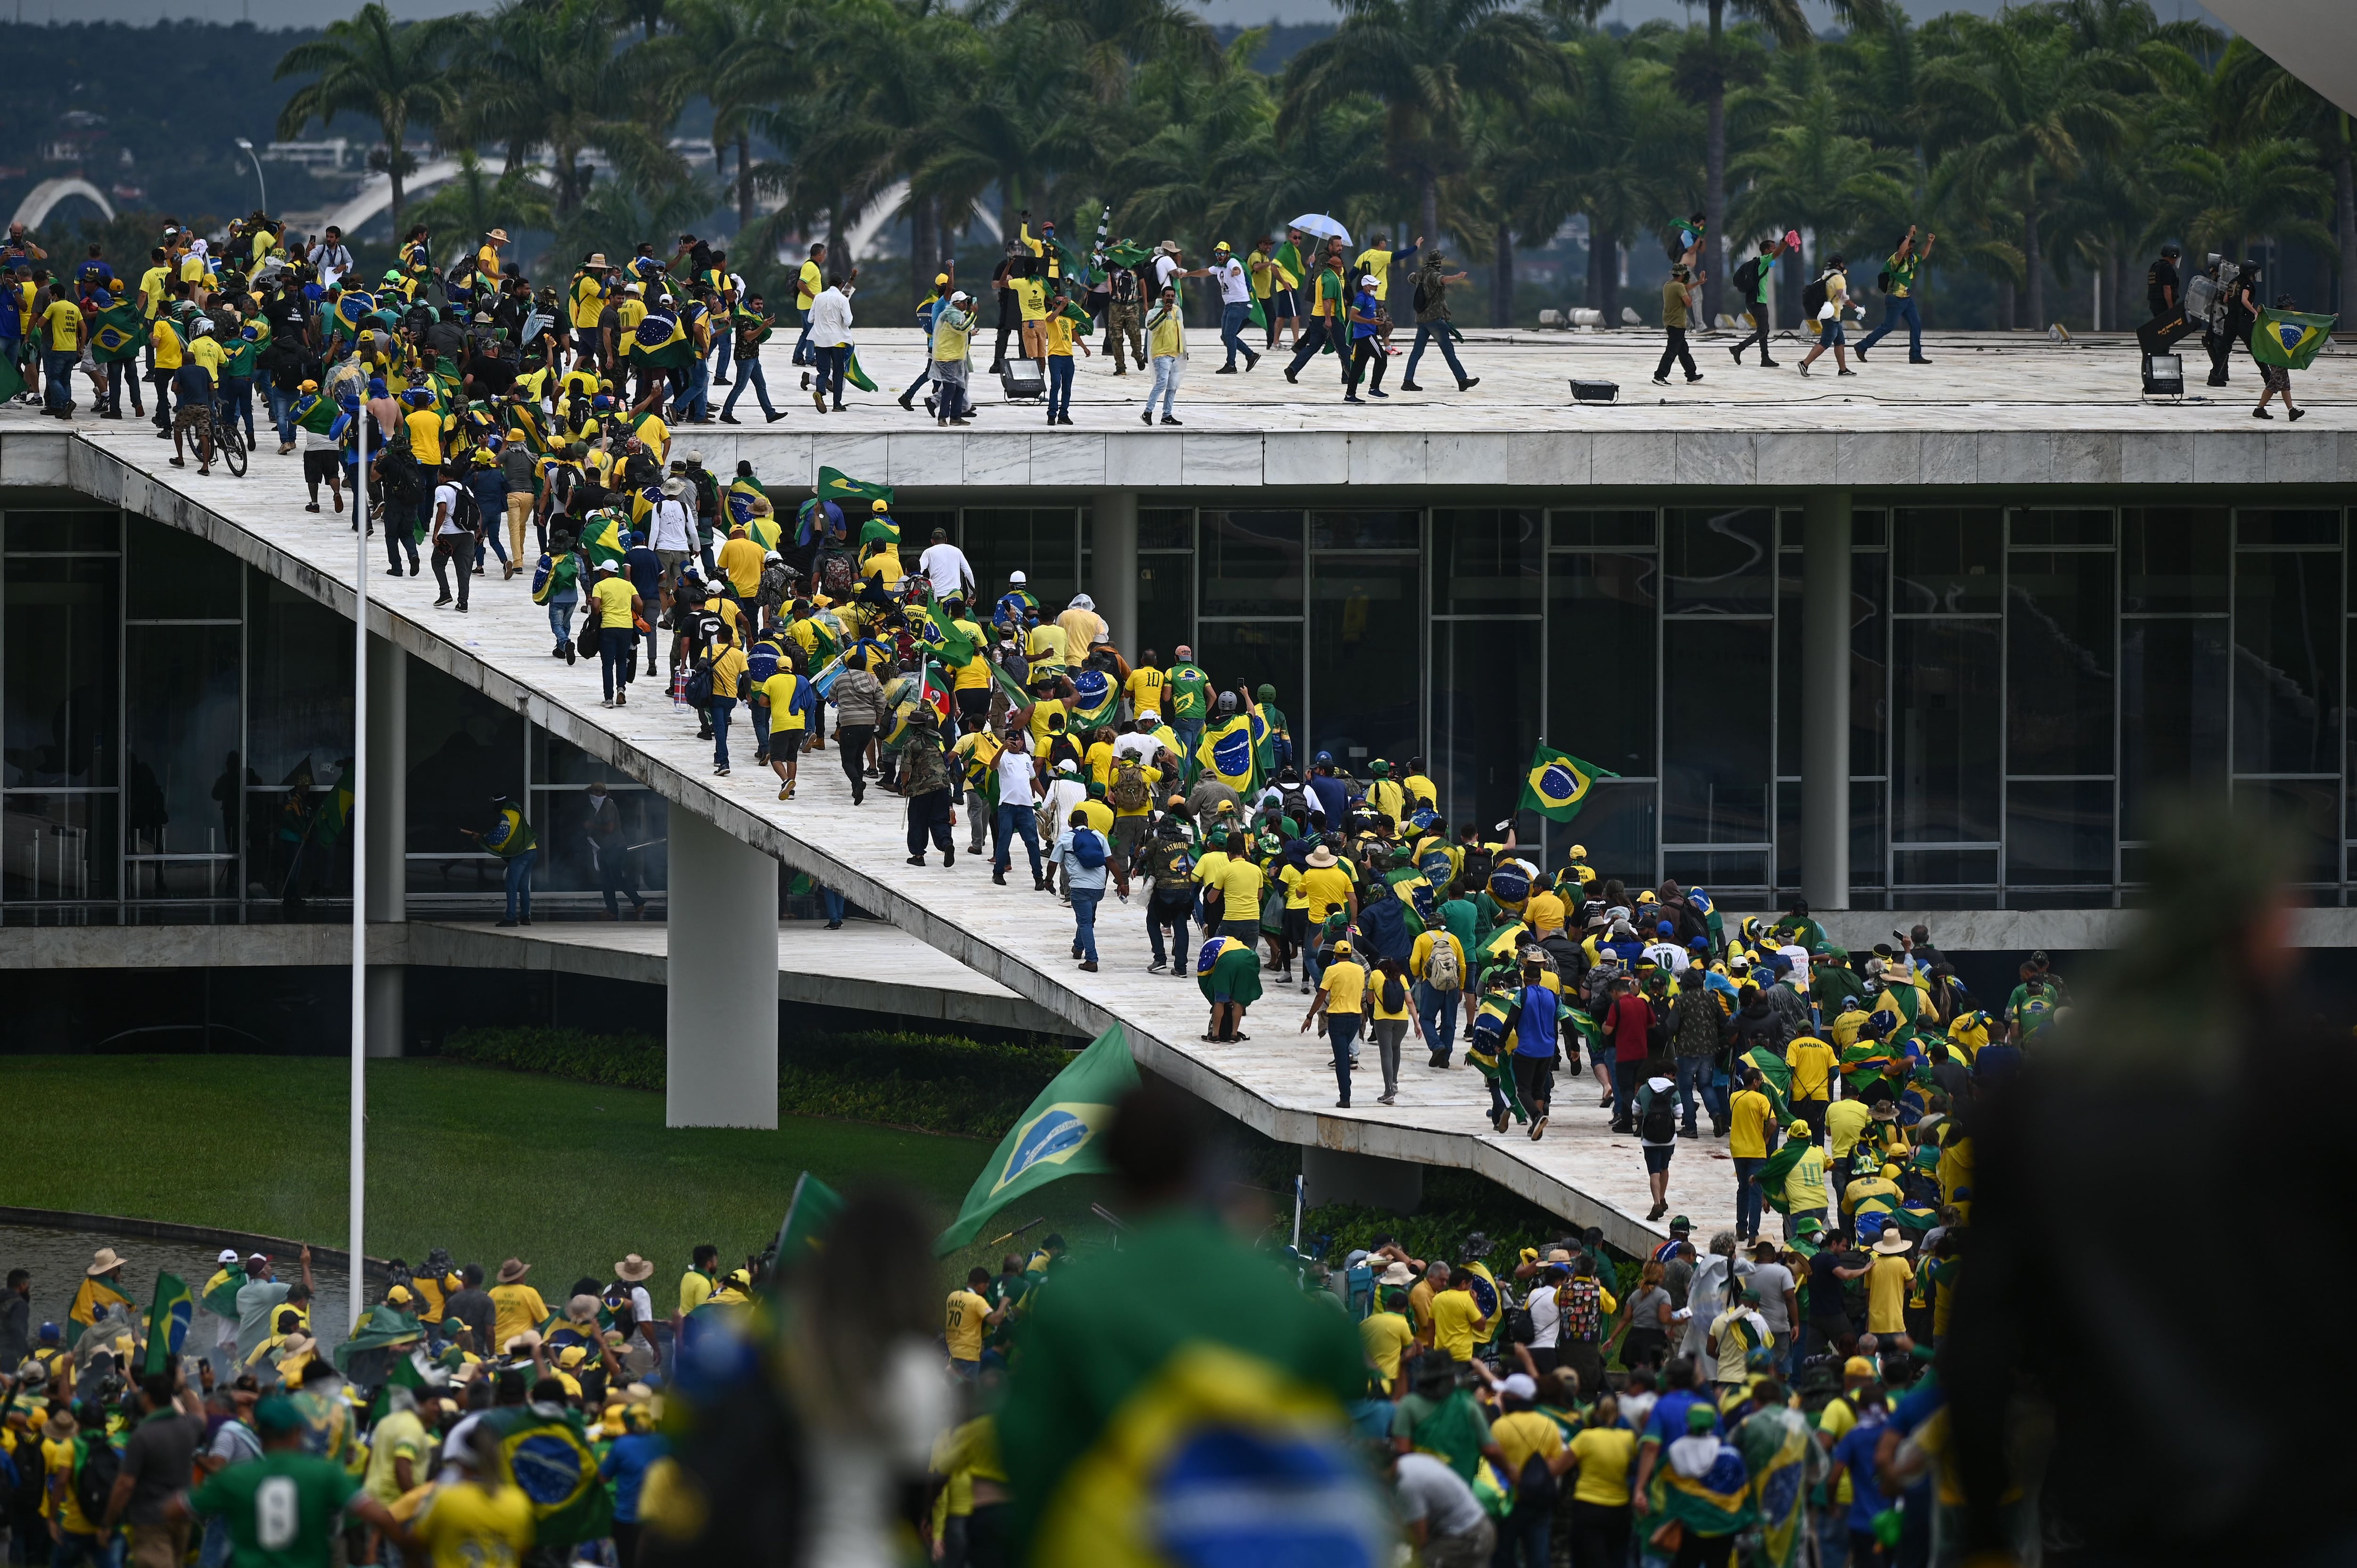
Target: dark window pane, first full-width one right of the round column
column 1946, row 730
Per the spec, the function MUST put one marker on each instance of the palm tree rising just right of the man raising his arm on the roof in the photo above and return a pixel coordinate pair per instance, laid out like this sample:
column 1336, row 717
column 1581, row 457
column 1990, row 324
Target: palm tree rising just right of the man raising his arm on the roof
column 2026, row 103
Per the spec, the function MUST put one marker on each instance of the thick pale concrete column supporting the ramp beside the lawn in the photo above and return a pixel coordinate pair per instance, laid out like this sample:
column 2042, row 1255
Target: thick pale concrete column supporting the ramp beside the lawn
column 720, row 1010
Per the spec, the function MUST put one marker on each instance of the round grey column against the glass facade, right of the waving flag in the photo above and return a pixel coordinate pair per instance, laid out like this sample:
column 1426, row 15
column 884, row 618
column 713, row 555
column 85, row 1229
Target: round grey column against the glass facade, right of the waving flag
column 1825, row 701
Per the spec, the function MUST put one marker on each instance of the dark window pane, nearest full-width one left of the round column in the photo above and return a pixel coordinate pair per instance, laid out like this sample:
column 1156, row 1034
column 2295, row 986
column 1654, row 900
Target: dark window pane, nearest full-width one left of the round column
column 1715, row 753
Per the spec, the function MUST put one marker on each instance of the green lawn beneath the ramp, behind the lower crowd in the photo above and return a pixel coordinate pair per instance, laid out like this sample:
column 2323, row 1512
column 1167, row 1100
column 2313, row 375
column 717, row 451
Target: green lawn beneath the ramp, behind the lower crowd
column 487, row 1164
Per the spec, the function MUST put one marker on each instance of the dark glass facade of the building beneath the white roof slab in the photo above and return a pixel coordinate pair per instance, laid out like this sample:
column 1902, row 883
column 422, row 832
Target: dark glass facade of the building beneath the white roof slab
column 2028, row 685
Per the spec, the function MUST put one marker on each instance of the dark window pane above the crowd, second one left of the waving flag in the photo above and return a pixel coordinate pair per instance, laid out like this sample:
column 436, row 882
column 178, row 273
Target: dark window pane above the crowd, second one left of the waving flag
column 1366, row 657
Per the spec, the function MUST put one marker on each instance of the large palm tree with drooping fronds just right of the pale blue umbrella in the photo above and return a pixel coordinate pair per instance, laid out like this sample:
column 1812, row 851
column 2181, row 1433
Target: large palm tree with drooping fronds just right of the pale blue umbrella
column 1427, row 62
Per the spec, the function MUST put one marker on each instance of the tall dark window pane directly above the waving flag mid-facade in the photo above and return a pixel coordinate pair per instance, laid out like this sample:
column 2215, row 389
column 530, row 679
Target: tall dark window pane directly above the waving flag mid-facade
column 1599, row 657
